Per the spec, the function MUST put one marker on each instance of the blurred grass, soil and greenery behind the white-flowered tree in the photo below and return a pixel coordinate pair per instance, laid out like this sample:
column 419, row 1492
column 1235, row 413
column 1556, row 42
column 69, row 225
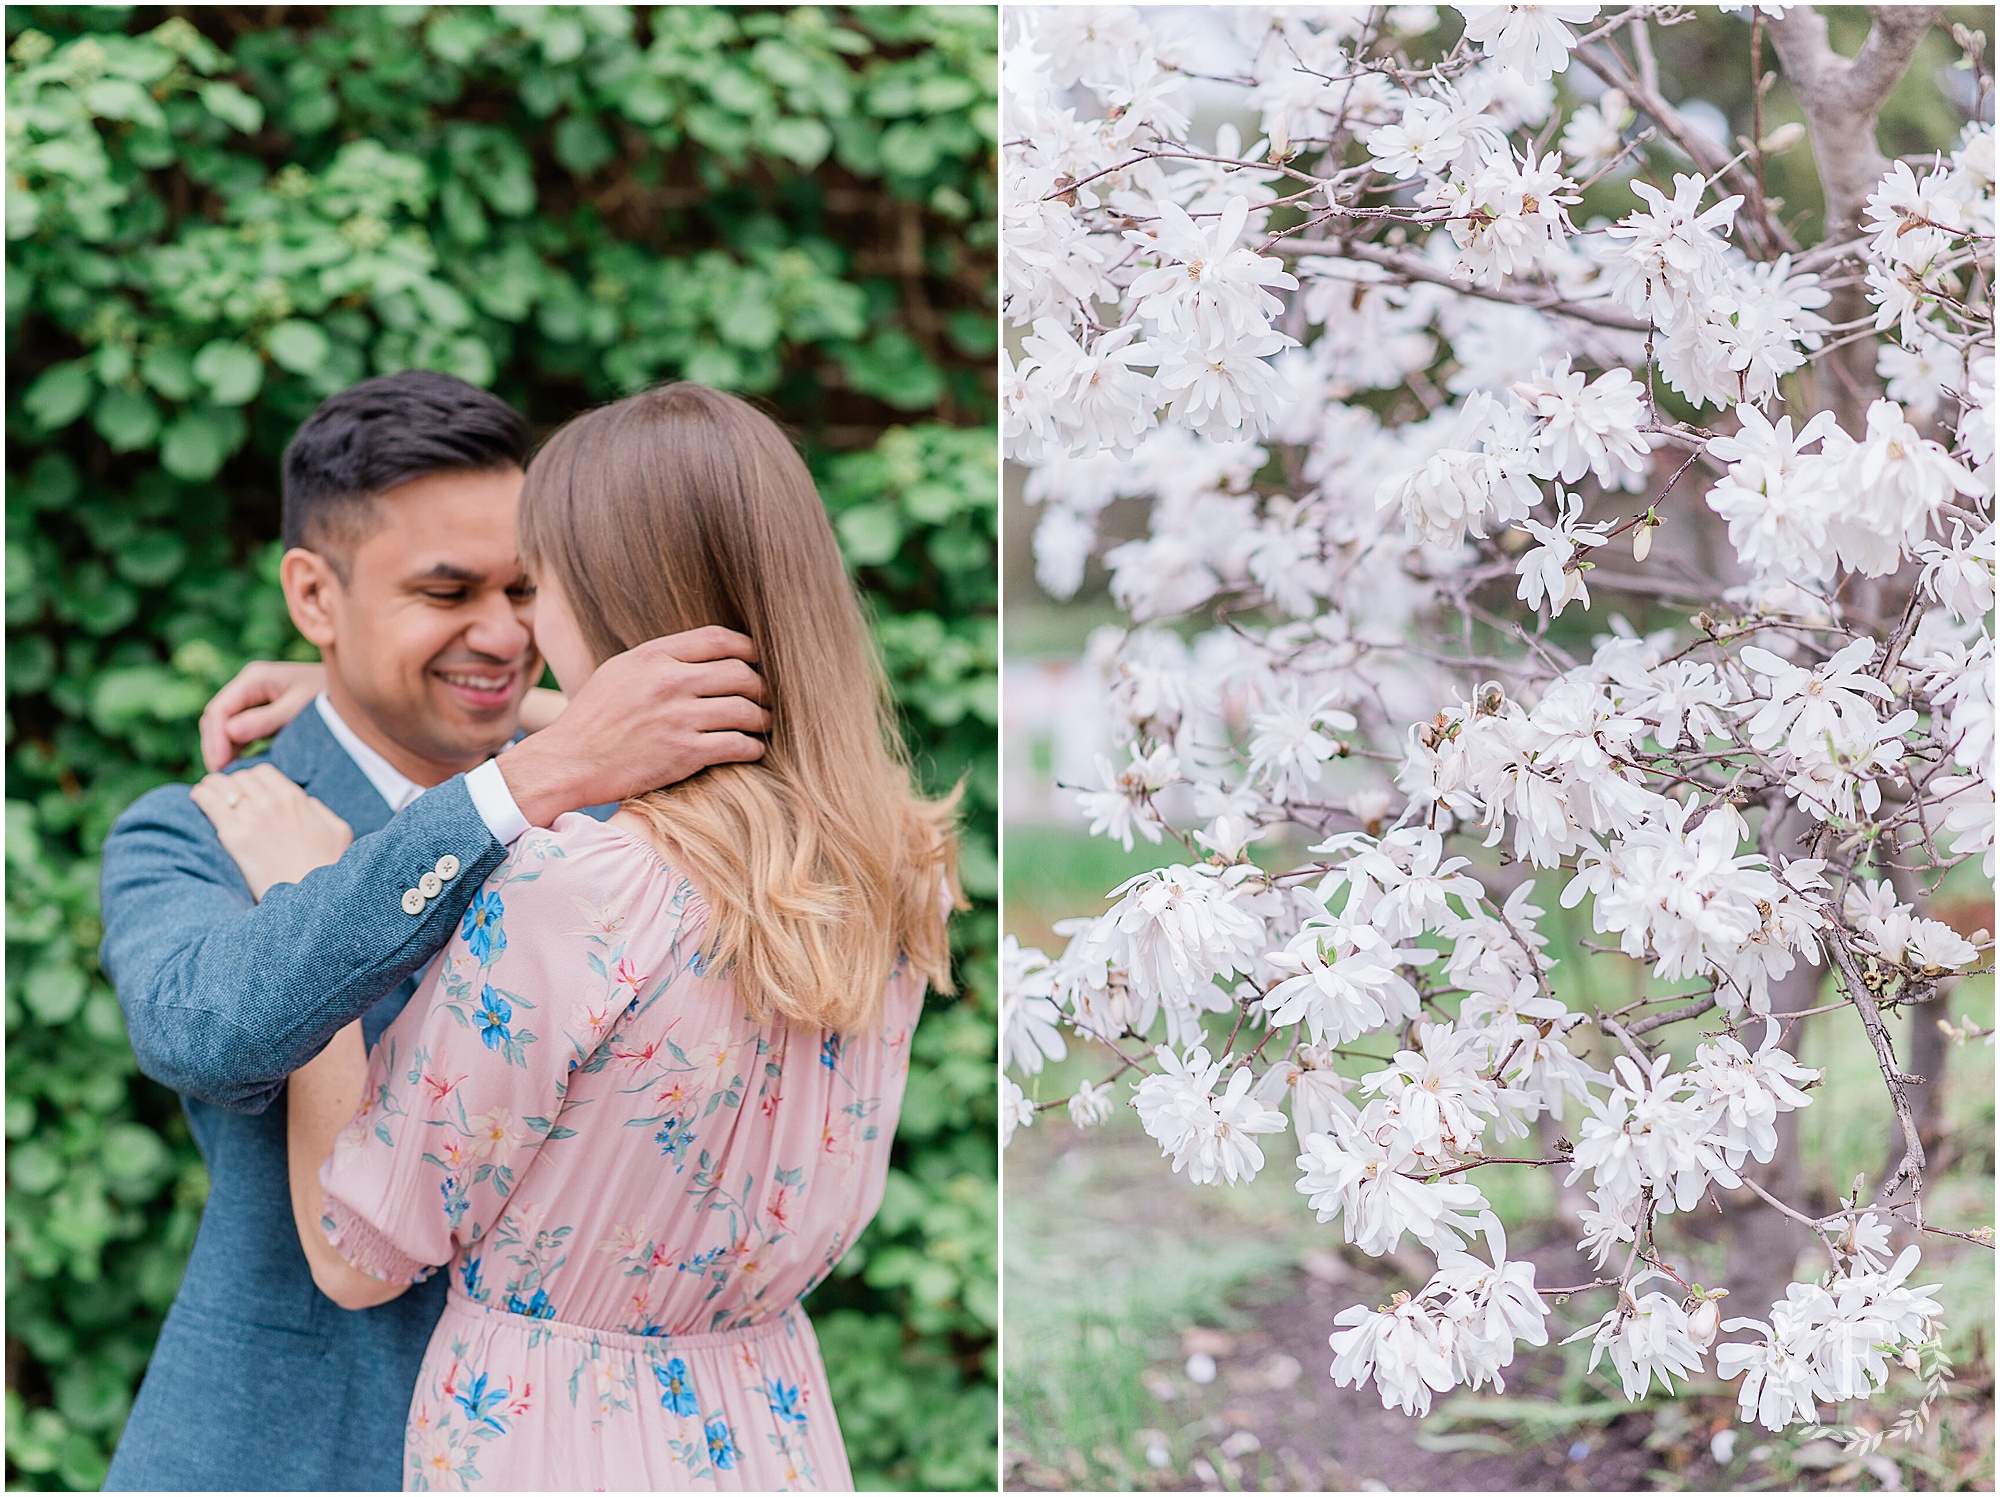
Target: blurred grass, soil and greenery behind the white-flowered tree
column 1165, row 1336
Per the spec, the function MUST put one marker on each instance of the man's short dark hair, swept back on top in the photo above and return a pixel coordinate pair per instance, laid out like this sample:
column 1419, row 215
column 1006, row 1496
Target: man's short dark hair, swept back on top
column 383, row 433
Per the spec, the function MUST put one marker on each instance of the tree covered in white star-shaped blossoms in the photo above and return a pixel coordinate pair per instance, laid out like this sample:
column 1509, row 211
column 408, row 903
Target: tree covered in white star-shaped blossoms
column 1395, row 411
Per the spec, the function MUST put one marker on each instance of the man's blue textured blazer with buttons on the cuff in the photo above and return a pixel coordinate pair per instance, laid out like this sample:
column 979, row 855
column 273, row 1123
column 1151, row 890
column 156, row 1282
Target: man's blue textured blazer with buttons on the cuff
column 261, row 1382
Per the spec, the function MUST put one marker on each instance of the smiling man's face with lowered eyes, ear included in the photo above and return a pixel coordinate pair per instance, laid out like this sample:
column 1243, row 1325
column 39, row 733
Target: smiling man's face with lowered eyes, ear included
column 431, row 633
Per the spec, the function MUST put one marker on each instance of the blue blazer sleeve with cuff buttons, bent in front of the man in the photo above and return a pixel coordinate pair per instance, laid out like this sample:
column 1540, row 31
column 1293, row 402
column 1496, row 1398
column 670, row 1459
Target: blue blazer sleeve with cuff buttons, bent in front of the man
column 225, row 996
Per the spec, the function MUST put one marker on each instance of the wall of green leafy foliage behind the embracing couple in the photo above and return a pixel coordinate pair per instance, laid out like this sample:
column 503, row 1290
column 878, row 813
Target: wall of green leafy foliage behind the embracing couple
column 221, row 215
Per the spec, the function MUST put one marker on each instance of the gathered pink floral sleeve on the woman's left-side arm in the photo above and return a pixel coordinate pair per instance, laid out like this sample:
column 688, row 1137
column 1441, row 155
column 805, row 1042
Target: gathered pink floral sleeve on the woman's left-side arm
column 469, row 1084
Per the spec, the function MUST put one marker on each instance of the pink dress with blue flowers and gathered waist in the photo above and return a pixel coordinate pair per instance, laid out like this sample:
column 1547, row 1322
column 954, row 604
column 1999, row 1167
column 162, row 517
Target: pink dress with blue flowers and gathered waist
column 631, row 1182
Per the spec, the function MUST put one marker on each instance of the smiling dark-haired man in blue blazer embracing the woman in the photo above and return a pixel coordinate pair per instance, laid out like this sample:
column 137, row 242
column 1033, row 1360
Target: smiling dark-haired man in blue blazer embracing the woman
column 399, row 519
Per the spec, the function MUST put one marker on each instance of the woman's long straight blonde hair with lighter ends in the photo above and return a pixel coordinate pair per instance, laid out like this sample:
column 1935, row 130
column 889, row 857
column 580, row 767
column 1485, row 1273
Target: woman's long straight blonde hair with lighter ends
column 687, row 507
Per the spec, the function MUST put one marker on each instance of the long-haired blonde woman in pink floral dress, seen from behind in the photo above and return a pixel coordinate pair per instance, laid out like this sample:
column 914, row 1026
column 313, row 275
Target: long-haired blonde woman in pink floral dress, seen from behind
column 647, row 1096
